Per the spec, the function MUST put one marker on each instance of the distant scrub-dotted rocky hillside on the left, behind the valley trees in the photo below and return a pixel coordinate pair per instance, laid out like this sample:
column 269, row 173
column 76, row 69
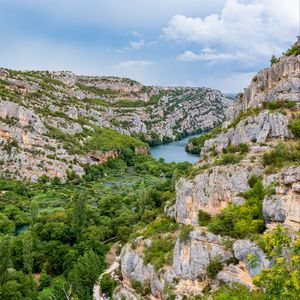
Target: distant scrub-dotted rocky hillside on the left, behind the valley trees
column 54, row 122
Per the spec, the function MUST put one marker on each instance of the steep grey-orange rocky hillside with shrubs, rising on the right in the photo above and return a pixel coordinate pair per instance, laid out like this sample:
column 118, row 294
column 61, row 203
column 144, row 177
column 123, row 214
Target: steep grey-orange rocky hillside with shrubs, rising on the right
column 227, row 210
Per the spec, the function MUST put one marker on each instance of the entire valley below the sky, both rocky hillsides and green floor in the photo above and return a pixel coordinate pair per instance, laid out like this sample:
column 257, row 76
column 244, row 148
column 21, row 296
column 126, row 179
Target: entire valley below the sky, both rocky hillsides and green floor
column 79, row 188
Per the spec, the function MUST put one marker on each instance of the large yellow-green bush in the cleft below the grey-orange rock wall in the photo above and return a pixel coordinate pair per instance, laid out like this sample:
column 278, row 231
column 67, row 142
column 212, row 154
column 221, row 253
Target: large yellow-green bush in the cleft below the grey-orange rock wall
column 241, row 221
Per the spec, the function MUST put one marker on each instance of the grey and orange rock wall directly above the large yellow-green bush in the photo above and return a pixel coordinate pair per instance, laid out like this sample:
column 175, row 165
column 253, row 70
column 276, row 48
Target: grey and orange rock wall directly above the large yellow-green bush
column 210, row 191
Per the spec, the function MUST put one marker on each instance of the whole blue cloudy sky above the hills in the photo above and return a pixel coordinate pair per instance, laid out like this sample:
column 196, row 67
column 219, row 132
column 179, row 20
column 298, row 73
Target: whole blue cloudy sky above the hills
column 219, row 44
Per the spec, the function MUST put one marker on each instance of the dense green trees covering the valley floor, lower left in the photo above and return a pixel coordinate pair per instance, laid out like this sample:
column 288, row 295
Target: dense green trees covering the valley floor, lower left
column 109, row 203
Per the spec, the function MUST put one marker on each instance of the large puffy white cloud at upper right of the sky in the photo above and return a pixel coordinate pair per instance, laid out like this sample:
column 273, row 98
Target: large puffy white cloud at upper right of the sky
column 257, row 28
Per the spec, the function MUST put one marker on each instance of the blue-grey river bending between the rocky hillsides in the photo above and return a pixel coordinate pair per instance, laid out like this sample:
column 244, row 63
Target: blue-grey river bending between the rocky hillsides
column 175, row 151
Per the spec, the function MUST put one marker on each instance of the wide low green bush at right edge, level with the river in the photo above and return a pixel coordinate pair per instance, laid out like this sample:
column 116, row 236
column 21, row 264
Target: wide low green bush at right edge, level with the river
column 281, row 155
